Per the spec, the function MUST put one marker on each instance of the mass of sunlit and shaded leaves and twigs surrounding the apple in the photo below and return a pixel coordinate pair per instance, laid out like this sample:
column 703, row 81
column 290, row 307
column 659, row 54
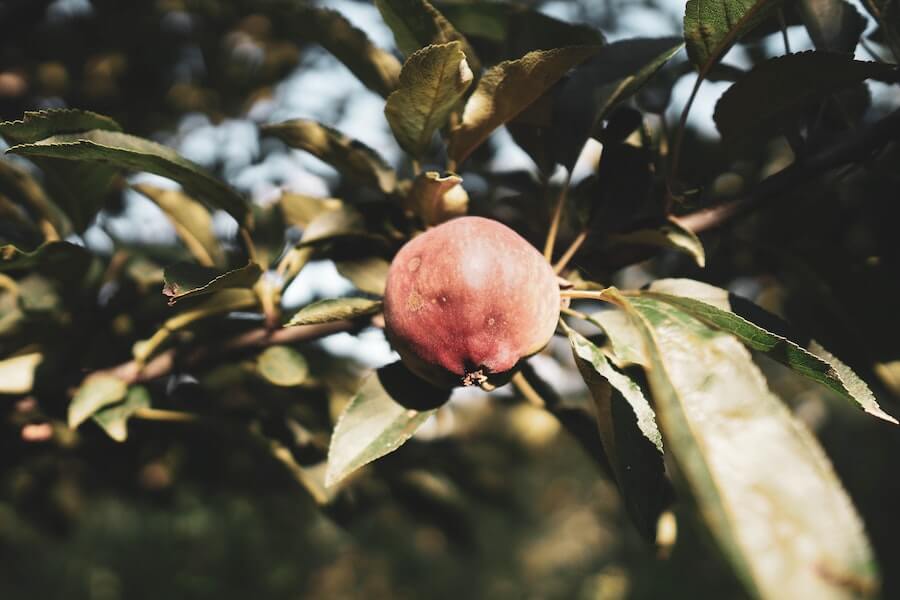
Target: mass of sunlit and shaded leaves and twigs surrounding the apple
column 671, row 377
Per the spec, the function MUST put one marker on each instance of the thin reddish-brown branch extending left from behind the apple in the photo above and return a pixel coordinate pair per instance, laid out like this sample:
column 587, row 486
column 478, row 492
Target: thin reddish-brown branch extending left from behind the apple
column 163, row 364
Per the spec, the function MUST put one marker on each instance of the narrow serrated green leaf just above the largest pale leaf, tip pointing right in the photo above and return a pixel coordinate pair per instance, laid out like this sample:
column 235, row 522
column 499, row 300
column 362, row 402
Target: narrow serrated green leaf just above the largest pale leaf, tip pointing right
column 714, row 307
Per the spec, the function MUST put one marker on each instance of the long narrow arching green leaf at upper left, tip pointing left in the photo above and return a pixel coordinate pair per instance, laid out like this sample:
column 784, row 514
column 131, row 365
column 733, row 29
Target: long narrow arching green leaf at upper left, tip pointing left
column 130, row 152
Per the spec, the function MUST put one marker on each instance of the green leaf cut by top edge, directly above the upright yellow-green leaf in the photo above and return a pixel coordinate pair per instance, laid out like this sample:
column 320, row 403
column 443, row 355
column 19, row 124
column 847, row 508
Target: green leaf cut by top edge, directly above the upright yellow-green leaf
column 417, row 23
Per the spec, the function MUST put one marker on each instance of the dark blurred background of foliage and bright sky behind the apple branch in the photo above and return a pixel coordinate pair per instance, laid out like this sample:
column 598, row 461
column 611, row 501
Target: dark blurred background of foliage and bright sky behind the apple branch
column 508, row 506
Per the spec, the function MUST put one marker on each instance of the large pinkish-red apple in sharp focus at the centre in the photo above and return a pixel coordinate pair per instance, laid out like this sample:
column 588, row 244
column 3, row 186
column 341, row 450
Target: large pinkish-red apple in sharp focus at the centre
column 467, row 300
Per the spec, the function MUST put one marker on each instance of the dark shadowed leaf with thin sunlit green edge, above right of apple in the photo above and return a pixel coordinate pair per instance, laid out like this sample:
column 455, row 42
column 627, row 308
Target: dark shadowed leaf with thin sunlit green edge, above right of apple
column 595, row 87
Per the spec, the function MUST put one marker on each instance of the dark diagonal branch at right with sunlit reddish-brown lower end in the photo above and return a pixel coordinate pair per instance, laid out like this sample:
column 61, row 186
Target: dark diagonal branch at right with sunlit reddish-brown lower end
column 856, row 146
